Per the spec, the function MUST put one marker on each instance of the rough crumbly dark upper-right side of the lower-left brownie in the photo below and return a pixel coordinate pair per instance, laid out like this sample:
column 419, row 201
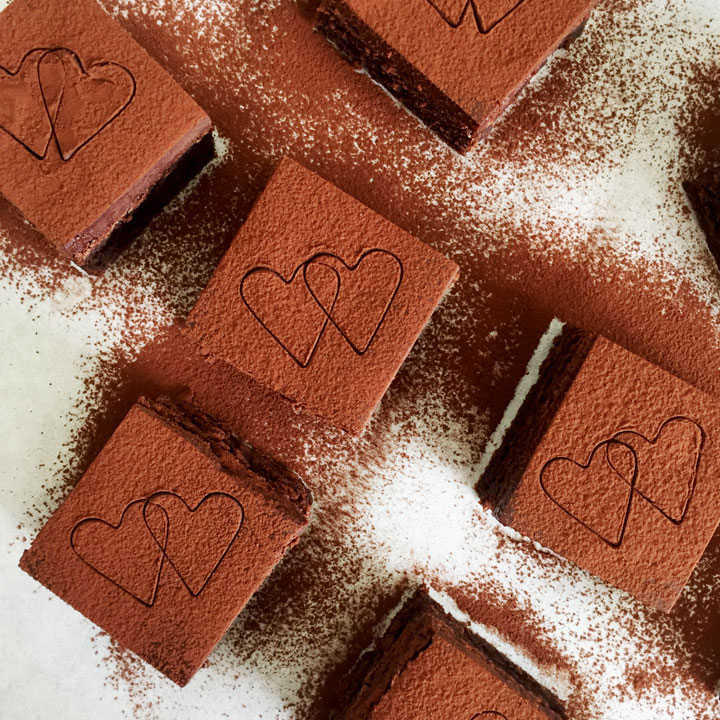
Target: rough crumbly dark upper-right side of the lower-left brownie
column 234, row 455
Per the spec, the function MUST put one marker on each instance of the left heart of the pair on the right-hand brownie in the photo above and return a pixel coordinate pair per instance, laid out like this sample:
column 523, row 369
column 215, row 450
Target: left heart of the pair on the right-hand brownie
column 595, row 493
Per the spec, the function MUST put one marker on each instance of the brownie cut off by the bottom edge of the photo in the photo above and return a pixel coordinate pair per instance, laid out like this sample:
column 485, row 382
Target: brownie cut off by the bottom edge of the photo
column 429, row 665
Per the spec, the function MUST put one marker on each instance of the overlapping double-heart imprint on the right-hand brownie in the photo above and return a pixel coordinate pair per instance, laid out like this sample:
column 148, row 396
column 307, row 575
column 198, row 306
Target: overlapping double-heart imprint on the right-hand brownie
column 660, row 470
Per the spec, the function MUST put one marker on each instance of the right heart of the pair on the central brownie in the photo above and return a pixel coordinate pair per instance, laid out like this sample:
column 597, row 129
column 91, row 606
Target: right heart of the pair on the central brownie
column 367, row 289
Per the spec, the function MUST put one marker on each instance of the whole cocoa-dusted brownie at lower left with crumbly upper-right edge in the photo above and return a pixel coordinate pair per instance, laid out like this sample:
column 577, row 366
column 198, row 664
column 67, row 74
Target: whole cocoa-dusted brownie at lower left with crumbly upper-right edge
column 169, row 533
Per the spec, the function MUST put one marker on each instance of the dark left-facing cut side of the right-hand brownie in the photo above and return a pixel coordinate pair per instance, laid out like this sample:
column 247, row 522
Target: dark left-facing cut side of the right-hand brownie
column 507, row 465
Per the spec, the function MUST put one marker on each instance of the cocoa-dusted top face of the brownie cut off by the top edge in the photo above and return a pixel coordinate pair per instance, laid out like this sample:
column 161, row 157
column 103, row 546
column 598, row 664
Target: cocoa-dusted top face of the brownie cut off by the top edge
column 478, row 52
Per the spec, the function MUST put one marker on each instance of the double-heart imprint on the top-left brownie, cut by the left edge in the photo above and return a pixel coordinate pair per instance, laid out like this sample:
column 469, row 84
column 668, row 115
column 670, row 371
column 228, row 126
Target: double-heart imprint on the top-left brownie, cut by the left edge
column 52, row 97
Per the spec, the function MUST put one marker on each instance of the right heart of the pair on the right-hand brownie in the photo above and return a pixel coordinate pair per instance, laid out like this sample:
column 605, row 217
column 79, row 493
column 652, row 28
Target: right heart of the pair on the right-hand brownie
column 668, row 463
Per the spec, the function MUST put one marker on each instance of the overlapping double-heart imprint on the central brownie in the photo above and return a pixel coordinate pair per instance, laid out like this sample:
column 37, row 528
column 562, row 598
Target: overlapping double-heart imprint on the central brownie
column 324, row 291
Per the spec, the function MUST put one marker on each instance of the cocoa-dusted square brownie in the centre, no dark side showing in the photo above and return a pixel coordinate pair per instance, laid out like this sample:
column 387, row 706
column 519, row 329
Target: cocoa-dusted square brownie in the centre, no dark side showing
column 319, row 298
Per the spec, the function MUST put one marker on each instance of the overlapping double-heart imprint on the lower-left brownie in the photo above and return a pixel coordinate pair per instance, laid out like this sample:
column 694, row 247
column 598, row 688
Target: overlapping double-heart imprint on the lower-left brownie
column 157, row 530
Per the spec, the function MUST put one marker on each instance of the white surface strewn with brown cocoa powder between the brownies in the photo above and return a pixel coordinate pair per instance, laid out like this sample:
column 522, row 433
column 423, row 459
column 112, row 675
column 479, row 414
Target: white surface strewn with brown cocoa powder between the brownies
column 573, row 207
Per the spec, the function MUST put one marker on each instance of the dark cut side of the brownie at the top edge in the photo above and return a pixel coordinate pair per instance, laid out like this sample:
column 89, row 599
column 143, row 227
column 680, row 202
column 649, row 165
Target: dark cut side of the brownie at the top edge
column 362, row 47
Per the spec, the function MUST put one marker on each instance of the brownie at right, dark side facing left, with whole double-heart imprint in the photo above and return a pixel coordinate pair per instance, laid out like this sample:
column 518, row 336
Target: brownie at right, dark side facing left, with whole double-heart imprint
column 614, row 464
